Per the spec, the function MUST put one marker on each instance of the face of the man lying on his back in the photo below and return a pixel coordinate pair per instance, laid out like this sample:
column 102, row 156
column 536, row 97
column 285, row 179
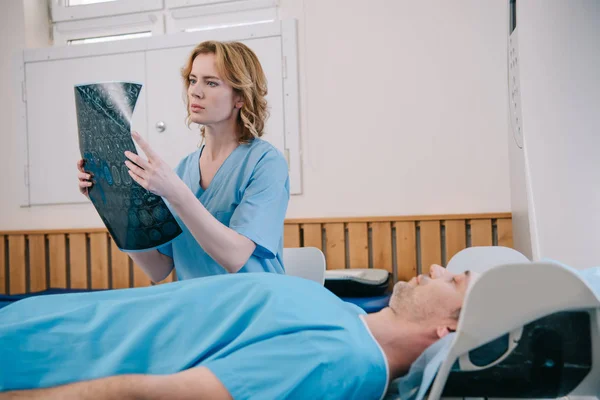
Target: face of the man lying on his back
column 435, row 298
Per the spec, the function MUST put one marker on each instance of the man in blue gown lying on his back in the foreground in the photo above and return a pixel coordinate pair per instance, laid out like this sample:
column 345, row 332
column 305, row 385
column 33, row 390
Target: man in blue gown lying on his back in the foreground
column 260, row 336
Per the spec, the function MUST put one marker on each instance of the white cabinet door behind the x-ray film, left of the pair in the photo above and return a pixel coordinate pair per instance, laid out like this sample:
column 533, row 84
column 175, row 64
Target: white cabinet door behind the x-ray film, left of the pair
column 53, row 142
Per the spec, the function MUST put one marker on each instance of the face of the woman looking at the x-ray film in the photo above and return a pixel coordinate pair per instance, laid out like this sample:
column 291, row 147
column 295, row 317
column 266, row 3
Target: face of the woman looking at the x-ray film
column 210, row 100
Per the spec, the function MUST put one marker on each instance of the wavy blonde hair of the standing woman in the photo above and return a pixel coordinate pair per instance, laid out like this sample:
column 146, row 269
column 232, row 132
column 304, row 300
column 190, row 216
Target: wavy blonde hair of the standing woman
column 239, row 67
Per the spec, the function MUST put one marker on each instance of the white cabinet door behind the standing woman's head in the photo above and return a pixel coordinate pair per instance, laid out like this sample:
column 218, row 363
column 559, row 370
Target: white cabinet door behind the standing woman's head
column 166, row 98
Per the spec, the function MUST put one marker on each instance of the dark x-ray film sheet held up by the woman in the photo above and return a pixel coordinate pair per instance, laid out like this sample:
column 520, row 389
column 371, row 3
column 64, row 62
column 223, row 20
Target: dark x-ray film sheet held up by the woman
column 136, row 218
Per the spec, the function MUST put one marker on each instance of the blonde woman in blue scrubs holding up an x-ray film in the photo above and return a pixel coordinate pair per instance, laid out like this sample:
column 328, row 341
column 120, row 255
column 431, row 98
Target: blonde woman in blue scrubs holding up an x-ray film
column 230, row 196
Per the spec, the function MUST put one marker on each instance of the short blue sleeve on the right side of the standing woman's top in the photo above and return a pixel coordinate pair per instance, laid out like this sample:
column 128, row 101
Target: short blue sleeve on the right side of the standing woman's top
column 261, row 212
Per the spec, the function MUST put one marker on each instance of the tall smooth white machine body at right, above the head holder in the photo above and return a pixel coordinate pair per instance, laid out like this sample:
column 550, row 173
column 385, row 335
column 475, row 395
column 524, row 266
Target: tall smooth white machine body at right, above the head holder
column 559, row 60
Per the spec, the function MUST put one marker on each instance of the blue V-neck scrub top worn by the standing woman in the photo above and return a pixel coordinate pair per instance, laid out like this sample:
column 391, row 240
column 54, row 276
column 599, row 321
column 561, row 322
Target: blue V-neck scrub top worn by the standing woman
column 249, row 194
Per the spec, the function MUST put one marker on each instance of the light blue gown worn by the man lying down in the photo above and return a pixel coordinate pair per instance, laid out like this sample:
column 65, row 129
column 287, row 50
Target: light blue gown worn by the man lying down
column 266, row 336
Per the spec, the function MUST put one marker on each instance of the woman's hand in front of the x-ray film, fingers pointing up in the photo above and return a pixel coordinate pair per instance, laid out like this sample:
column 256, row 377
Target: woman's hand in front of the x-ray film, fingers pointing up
column 152, row 174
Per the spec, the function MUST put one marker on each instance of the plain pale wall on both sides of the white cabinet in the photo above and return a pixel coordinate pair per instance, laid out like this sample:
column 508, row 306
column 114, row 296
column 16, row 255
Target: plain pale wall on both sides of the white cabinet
column 403, row 111
